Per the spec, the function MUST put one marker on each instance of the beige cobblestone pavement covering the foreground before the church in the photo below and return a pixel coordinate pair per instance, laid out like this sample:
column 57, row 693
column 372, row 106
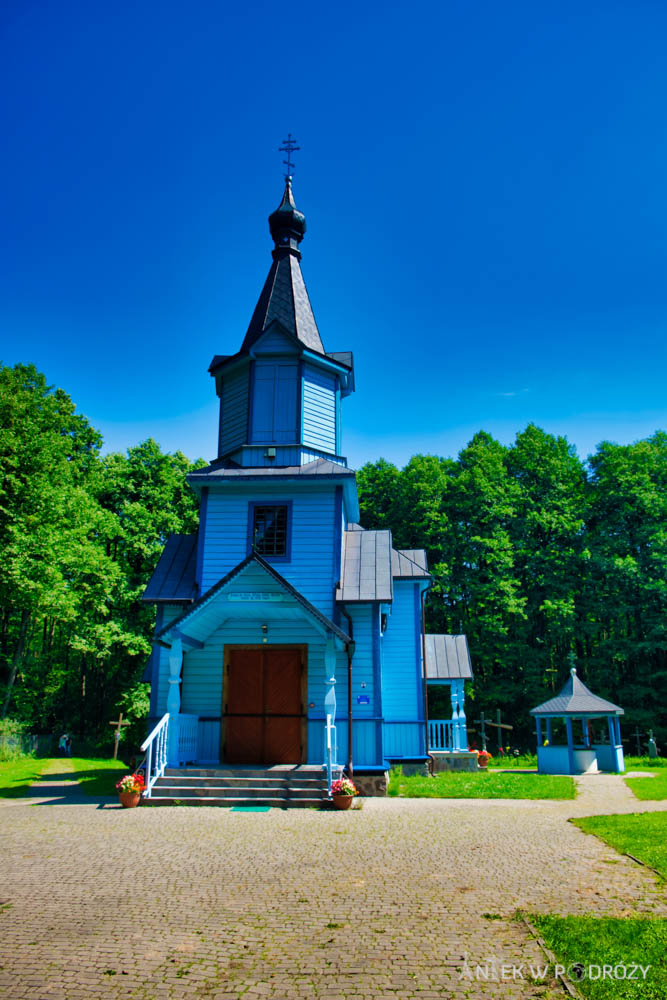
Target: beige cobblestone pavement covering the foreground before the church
column 383, row 902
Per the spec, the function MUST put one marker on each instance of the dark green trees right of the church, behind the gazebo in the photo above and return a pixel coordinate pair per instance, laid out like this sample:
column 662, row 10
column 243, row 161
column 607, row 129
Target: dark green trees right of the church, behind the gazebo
column 543, row 561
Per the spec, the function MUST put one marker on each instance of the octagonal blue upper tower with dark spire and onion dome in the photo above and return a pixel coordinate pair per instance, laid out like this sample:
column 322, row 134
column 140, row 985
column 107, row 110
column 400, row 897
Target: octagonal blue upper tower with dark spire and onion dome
column 280, row 394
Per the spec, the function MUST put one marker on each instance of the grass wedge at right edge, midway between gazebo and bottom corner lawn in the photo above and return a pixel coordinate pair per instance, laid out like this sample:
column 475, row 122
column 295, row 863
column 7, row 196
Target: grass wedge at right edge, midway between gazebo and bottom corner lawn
column 642, row 834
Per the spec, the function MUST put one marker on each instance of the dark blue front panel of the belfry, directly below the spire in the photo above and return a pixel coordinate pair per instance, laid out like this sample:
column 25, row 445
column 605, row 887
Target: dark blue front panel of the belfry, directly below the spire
column 274, row 402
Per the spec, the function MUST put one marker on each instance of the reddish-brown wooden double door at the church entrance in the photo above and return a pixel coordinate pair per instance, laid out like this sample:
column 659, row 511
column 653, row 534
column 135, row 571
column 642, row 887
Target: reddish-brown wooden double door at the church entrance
column 264, row 698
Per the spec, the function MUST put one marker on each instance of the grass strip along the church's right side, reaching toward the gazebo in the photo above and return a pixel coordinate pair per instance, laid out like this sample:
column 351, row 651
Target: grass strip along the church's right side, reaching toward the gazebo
column 481, row 785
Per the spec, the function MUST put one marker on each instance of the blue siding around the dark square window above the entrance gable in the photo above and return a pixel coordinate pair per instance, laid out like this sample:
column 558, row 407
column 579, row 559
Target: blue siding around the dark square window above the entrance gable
column 312, row 564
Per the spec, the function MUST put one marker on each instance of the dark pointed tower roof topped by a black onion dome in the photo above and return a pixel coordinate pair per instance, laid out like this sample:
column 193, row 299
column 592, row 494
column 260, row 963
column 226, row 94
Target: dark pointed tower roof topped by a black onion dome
column 284, row 297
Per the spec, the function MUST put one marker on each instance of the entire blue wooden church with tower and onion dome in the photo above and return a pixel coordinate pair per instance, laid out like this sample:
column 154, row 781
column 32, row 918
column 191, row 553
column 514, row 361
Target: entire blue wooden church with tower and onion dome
column 286, row 633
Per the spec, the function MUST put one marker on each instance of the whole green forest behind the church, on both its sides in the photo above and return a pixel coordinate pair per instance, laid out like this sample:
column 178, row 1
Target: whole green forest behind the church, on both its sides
column 542, row 559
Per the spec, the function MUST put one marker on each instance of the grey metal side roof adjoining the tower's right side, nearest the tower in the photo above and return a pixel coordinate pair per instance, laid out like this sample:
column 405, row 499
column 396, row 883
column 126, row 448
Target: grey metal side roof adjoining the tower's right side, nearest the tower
column 366, row 567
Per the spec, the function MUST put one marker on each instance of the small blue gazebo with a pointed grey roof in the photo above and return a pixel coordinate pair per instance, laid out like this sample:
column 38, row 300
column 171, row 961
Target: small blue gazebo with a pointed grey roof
column 578, row 706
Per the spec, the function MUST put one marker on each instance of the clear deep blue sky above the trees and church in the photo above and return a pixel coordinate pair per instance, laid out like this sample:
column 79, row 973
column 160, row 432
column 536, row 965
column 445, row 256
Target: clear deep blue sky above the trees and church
column 485, row 187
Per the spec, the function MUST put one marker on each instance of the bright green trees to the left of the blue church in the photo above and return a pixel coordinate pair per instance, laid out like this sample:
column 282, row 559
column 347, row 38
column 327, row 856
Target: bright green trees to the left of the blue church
column 80, row 535
